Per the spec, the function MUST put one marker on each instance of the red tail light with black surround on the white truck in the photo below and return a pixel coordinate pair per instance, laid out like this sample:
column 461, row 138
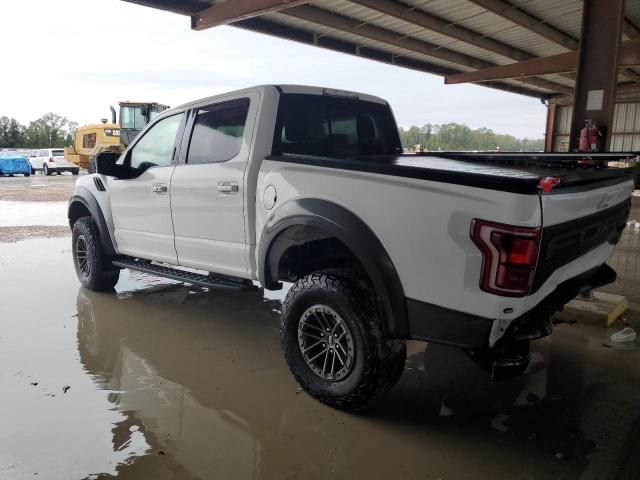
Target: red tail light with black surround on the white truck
column 509, row 256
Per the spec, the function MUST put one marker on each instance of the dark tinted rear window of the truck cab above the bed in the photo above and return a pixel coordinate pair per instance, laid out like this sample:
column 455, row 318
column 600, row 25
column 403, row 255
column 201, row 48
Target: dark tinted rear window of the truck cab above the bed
column 333, row 126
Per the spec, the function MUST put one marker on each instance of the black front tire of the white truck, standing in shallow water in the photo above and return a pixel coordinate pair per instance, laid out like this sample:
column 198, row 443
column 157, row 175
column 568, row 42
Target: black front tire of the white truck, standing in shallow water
column 100, row 275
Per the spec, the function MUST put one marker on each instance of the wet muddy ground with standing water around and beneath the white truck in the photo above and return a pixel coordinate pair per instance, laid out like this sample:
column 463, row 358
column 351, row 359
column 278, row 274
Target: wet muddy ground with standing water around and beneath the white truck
column 163, row 380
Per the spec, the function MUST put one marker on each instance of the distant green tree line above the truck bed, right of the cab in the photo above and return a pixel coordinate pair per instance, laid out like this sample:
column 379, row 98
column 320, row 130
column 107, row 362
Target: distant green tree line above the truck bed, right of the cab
column 456, row 136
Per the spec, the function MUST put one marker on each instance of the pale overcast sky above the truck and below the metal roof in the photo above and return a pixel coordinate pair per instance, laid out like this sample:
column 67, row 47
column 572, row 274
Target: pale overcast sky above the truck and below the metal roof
column 76, row 57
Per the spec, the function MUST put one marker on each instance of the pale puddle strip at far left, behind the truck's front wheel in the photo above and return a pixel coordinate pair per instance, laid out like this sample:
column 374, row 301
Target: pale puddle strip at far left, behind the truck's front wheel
column 15, row 214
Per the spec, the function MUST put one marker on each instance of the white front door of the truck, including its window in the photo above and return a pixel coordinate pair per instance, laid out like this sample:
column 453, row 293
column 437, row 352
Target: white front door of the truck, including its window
column 141, row 206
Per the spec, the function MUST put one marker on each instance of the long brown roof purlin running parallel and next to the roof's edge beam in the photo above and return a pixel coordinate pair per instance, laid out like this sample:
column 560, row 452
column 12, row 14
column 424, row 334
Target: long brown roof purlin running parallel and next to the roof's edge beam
column 353, row 26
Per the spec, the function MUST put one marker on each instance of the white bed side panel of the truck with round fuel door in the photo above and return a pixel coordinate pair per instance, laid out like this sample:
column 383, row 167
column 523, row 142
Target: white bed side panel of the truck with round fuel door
column 423, row 225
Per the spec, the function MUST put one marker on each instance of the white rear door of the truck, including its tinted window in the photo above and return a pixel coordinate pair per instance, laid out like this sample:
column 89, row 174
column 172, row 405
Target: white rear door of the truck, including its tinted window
column 207, row 191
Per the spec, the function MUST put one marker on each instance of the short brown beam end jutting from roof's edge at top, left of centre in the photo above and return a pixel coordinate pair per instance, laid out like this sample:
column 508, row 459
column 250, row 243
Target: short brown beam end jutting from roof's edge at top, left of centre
column 231, row 11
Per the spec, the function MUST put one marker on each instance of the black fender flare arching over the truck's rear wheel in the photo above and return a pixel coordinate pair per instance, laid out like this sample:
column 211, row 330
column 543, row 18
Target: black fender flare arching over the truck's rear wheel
column 336, row 221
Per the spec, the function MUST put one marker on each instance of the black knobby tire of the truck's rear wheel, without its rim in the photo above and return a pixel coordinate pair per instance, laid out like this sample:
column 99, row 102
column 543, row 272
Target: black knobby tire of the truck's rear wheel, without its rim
column 378, row 361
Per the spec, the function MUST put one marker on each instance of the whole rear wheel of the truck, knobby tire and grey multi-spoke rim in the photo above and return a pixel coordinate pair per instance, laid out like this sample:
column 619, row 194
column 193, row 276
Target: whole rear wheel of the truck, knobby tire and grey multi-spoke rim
column 333, row 342
